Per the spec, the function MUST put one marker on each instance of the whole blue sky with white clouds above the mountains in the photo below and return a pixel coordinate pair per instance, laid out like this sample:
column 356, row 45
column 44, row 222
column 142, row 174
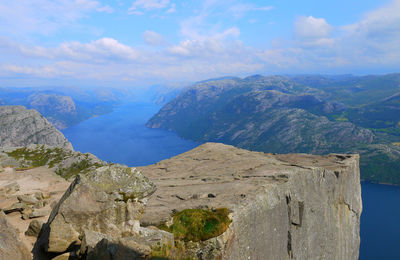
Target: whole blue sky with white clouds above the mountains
column 145, row 42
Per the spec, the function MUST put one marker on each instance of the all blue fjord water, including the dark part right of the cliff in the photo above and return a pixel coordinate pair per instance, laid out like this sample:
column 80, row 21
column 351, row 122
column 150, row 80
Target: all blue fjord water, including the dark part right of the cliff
column 122, row 137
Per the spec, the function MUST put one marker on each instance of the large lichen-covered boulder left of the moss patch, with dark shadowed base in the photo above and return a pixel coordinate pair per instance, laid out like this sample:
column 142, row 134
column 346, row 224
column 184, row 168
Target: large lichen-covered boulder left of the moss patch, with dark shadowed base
column 108, row 200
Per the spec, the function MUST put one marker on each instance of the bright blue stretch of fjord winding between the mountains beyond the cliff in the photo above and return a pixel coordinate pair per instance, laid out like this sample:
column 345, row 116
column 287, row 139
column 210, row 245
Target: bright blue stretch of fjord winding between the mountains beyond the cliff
column 122, row 137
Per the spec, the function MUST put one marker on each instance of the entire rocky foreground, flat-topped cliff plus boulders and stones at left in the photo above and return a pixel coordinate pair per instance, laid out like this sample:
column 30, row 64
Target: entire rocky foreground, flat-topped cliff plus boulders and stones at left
column 213, row 202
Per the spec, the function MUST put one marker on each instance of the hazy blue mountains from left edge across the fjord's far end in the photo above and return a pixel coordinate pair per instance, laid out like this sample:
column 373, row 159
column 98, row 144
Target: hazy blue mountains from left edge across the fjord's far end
column 68, row 106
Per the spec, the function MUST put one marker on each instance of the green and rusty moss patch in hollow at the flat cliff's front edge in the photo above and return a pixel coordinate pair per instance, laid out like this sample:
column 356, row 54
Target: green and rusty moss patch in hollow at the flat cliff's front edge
column 198, row 224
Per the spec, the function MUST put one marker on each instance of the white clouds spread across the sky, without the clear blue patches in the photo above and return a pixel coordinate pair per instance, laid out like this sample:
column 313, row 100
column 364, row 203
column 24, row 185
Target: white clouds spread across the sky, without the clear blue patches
column 205, row 48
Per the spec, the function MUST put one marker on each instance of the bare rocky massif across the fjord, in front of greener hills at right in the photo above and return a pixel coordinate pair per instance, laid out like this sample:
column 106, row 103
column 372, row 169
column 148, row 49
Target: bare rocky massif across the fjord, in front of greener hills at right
column 263, row 115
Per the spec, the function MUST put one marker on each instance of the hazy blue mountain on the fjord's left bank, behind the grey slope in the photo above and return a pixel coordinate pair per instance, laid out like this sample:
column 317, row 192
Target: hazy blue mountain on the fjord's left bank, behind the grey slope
column 63, row 107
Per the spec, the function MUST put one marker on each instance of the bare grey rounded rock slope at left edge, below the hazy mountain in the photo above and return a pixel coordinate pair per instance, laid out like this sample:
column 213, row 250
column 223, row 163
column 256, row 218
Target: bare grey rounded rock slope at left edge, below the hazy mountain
column 21, row 127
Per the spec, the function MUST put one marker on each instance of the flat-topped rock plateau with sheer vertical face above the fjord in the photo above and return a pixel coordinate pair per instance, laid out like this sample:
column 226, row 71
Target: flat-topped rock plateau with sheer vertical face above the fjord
column 282, row 206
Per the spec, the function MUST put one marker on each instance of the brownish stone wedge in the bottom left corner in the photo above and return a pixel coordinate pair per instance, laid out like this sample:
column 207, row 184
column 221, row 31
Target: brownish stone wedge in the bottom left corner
column 10, row 246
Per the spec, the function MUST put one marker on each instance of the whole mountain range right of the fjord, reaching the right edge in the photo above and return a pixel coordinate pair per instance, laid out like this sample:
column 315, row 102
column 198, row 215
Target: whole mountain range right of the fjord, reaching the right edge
column 286, row 114
